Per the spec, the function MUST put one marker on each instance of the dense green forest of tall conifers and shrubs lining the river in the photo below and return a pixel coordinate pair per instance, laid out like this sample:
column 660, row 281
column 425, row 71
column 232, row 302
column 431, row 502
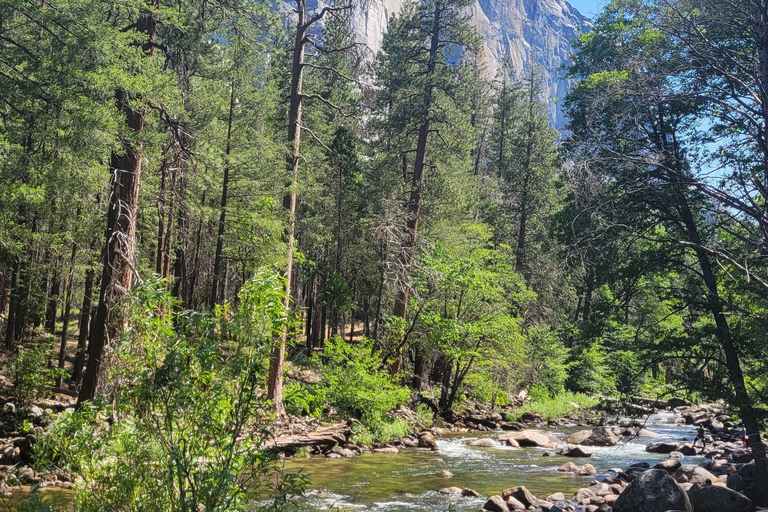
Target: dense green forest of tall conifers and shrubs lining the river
column 219, row 217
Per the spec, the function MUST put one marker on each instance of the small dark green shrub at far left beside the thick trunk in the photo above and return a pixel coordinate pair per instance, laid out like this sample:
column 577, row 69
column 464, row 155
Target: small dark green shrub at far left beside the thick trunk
column 33, row 374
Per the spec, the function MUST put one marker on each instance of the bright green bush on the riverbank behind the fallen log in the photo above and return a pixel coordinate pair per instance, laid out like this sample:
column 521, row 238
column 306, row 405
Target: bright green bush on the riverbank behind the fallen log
column 357, row 385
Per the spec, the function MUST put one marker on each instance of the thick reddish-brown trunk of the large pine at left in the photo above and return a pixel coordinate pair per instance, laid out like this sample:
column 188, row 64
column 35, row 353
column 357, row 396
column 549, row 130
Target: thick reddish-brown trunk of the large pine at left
column 118, row 271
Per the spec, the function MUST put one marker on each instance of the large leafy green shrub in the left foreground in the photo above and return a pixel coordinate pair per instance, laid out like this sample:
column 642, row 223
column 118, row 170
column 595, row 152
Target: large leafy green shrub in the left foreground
column 185, row 430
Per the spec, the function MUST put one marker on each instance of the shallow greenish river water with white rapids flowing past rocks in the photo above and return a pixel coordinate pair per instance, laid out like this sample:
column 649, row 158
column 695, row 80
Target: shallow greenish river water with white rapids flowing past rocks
column 410, row 480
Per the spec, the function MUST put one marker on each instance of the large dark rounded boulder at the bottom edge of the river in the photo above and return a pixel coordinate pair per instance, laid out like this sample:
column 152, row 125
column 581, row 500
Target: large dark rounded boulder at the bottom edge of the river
column 653, row 491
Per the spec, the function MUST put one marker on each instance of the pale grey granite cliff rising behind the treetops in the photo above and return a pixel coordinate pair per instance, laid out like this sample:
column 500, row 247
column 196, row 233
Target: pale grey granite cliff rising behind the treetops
column 525, row 31
